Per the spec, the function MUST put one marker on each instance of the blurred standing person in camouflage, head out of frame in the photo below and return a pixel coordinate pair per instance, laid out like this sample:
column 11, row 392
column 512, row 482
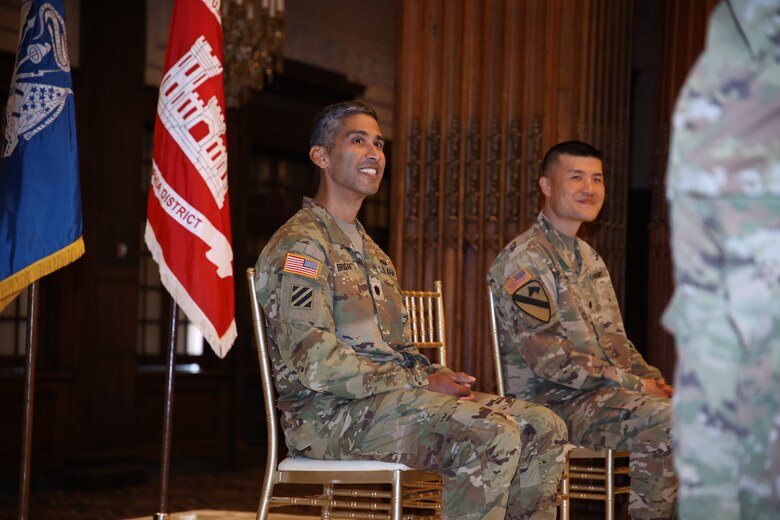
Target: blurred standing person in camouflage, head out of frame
column 723, row 188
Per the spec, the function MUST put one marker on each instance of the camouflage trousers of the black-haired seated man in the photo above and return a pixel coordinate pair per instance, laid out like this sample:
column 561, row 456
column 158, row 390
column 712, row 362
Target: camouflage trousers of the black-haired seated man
column 627, row 420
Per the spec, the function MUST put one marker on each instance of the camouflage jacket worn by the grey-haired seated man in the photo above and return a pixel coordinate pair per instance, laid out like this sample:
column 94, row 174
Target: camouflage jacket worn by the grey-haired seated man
column 336, row 324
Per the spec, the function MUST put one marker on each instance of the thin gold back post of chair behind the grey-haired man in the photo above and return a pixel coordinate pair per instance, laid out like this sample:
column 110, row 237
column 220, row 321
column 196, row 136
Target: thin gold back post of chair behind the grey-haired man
column 266, row 373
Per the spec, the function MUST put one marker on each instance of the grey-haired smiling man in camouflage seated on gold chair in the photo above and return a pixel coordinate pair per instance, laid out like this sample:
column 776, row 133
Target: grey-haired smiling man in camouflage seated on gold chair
column 351, row 387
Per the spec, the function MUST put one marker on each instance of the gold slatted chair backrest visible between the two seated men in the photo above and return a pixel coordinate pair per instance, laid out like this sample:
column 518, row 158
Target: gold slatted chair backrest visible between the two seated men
column 426, row 318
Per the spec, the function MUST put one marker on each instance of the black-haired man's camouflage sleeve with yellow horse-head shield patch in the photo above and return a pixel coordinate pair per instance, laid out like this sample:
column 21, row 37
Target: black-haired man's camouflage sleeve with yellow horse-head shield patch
column 556, row 347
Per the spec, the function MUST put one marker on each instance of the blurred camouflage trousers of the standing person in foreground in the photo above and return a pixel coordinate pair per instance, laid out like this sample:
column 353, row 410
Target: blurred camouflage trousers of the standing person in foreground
column 725, row 315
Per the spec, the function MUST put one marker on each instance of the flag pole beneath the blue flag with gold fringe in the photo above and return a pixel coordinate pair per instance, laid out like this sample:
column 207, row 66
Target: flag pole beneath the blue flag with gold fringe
column 31, row 346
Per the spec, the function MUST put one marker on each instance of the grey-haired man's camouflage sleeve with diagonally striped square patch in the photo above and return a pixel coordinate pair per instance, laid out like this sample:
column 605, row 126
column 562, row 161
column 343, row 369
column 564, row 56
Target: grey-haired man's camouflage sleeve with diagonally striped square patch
column 301, row 324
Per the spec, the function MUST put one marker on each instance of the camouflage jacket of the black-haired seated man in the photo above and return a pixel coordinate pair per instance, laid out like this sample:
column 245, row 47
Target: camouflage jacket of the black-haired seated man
column 559, row 321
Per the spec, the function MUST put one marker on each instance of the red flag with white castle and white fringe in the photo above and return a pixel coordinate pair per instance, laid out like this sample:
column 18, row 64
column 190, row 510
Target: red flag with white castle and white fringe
column 188, row 215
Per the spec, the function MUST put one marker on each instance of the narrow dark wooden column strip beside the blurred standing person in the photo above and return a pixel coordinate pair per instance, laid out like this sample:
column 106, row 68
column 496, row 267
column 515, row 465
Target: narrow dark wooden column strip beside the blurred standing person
column 684, row 34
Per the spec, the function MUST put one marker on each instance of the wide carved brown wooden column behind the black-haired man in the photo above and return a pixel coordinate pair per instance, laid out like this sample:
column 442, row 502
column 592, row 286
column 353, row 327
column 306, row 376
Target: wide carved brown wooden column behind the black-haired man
column 483, row 89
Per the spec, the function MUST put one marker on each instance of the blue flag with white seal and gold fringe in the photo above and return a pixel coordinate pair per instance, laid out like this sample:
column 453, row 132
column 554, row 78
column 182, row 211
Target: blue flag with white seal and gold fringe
column 40, row 203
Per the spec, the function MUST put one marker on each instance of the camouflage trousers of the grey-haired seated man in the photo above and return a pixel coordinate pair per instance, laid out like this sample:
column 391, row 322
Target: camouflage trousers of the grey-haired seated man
column 498, row 458
